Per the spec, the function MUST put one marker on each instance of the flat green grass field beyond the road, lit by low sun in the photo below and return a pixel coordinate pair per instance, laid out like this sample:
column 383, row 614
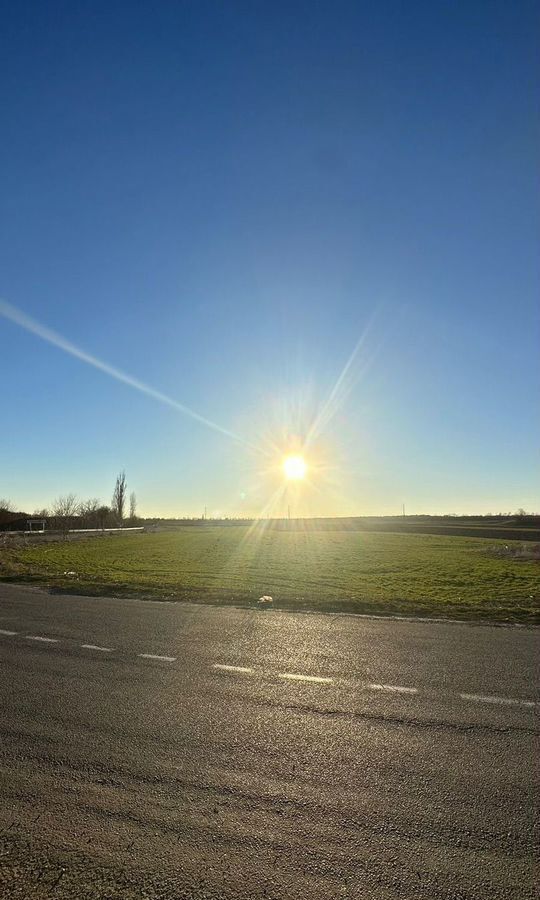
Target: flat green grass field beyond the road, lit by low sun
column 409, row 574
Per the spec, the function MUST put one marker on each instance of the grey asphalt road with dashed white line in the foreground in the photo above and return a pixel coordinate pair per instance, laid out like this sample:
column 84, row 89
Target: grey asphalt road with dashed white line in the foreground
column 176, row 751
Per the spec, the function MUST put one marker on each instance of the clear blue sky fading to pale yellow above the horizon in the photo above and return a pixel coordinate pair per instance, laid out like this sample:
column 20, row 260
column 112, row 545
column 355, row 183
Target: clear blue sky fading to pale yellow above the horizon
column 225, row 200
